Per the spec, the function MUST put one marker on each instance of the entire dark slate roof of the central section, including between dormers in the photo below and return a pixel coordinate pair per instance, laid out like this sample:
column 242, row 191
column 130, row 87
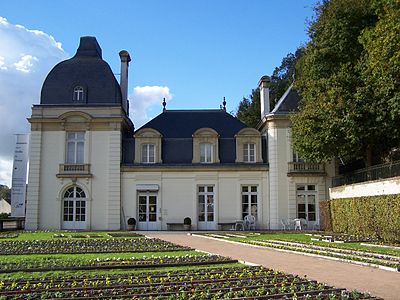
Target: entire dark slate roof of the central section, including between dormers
column 177, row 128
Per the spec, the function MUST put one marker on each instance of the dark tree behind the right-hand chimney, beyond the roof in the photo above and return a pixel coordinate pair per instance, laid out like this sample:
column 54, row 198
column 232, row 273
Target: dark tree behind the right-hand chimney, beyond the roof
column 249, row 108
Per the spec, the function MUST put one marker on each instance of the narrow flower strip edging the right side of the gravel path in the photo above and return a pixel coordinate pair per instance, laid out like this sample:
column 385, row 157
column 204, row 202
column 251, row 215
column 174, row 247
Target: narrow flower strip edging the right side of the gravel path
column 346, row 254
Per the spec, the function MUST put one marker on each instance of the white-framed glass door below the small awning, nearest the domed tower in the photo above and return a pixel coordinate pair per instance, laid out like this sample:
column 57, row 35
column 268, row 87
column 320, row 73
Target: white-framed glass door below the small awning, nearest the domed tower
column 147, row 210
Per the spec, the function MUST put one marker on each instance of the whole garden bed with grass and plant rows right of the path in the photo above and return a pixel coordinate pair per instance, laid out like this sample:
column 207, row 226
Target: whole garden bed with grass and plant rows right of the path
column 304, row 243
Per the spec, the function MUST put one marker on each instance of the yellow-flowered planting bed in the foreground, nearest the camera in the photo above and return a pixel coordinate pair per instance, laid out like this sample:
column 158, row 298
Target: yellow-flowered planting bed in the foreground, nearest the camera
column 245, row 282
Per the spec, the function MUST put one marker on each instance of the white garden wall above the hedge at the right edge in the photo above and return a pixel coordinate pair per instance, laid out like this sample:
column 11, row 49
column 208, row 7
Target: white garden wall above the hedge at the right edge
column 371, row 188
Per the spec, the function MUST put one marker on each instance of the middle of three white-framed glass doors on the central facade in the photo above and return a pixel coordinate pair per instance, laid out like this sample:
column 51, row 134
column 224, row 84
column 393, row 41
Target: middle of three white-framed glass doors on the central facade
column 206, row 208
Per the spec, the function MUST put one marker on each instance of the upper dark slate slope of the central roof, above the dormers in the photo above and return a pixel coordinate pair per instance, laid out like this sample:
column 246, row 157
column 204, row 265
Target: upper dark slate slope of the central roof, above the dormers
column 184, row 123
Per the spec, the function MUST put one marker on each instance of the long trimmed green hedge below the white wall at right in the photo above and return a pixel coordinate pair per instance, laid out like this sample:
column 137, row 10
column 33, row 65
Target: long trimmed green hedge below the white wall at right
column 374, row 216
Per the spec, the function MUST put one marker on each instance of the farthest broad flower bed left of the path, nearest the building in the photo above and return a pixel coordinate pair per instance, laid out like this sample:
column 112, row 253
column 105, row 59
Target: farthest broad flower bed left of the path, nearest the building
column 12, row 247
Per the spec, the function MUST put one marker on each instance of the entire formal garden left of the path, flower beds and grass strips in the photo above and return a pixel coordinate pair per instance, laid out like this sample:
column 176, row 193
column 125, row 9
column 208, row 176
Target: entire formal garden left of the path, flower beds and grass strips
column 129, row 266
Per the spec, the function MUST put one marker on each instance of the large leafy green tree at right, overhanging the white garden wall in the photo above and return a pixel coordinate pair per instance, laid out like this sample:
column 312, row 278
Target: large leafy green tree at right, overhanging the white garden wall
column 348, row 78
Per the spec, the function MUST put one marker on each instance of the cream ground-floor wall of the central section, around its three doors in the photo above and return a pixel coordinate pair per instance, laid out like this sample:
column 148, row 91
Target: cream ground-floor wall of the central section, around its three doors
column 177, row 194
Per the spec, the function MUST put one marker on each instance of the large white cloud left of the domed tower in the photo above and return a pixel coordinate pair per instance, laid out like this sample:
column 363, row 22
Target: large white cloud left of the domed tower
column 26, row 57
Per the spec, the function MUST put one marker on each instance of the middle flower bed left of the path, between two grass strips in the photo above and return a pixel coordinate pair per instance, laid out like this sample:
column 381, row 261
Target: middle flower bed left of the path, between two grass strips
column 110, row 263
